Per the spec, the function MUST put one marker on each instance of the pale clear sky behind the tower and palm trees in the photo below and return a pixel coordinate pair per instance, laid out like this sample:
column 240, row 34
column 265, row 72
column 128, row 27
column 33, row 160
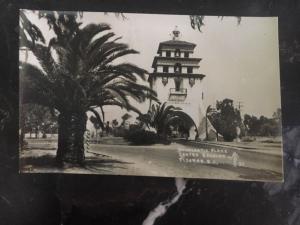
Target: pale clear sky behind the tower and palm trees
column 240, row 61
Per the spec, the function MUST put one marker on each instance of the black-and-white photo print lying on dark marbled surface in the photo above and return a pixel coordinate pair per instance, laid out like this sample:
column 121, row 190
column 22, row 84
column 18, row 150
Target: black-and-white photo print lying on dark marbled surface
column 115, row 93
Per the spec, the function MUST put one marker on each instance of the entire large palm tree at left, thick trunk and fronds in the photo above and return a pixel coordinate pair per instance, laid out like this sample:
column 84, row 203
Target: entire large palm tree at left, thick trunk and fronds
column 78, row 75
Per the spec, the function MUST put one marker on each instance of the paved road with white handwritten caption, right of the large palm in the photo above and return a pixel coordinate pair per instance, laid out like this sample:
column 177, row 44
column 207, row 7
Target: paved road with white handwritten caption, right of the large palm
column 163, row 160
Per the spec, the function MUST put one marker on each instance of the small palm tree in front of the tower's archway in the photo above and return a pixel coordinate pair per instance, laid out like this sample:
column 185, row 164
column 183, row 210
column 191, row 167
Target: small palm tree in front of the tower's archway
column 161, row 116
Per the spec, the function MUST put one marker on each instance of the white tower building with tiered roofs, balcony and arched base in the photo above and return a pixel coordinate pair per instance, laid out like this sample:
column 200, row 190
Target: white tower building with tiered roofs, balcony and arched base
column 177, row 79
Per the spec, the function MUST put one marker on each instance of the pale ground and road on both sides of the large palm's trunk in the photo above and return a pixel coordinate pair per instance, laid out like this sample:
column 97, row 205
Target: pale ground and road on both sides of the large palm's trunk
column 259, row 161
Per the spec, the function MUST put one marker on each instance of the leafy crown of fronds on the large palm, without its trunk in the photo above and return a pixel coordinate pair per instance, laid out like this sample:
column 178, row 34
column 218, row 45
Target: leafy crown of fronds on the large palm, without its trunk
column 83, row 74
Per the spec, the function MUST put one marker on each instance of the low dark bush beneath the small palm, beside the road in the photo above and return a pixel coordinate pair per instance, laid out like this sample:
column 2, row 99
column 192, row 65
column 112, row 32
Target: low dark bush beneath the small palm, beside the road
column 143, row 137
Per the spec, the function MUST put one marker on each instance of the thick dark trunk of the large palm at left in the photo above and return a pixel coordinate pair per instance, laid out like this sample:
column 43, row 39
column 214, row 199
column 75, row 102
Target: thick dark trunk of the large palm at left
column 71, row 128
